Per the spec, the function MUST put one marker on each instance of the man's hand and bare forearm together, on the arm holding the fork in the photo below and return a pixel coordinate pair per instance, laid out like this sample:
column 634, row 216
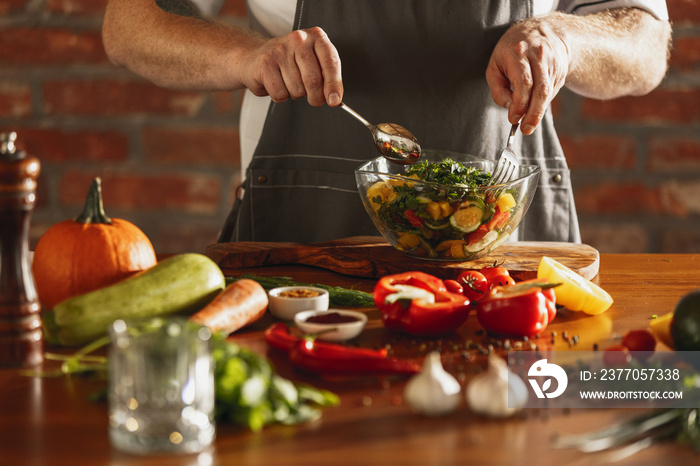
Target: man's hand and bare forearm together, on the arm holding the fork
column 605, row 55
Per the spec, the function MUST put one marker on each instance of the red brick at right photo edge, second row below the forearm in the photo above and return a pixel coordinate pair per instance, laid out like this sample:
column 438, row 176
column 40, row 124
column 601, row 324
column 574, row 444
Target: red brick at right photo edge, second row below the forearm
column 674, row 154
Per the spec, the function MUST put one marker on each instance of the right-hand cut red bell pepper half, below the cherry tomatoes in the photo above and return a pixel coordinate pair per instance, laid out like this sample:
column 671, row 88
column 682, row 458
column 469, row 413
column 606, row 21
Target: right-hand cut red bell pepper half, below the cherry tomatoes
column 524, row 309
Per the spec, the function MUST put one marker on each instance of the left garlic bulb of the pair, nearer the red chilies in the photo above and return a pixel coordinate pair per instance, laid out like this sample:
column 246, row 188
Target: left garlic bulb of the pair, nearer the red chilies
column 433, row 391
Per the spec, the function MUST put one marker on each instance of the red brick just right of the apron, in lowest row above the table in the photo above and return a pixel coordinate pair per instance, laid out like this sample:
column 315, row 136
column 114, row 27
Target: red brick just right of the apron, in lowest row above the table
column 614, row 238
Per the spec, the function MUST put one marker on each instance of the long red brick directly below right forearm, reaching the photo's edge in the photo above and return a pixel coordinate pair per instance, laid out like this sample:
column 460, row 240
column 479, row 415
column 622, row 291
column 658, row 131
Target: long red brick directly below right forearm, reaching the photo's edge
column 661, row 106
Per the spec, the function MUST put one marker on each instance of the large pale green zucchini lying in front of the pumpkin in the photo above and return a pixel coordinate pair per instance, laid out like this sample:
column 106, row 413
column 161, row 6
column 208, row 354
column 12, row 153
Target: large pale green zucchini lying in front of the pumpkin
column 178, row 284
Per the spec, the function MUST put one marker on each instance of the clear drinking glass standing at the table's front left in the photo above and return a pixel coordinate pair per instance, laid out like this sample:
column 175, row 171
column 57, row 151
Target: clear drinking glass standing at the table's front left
column 161, row 386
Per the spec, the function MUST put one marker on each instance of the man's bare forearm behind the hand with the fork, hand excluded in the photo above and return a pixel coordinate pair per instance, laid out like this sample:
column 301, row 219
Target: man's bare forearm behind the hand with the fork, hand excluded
column 614, row 53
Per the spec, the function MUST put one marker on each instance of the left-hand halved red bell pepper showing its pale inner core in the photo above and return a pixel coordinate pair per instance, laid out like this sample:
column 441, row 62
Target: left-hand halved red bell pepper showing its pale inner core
column 418, row 303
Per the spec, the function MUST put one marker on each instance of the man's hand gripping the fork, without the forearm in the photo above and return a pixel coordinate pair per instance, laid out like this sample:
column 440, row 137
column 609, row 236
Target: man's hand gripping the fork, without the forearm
column 527, row 69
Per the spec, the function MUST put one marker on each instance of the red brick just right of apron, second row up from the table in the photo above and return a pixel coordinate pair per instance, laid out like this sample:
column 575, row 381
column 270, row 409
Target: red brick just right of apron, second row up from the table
column 623, row 198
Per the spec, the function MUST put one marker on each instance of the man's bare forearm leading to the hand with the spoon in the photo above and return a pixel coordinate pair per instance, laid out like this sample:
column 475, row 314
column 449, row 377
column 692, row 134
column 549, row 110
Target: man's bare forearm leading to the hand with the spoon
column 172, row 50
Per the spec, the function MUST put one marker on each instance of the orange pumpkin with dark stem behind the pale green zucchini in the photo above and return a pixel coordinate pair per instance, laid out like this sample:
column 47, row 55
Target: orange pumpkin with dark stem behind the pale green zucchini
column 74, row 257
